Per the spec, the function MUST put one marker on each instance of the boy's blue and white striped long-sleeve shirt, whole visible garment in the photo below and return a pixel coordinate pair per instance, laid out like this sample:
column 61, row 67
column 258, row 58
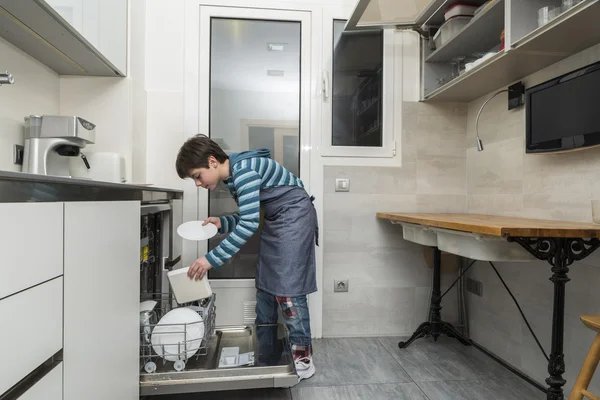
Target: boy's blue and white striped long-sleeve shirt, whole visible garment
column 250, row 172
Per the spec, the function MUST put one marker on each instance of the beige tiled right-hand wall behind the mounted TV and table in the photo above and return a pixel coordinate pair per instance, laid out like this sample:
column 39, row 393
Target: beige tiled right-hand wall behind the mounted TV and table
column 503, row 180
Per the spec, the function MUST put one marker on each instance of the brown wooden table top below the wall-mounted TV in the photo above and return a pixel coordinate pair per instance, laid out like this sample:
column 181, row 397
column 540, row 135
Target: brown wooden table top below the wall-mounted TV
column 499, row 226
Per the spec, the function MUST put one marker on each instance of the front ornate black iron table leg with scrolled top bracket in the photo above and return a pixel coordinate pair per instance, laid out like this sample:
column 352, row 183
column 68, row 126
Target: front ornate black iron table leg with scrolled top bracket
column 560, row 253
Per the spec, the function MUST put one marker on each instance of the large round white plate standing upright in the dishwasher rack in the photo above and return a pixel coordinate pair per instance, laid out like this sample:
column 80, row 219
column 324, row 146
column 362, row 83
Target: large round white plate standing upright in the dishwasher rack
column 178, row 334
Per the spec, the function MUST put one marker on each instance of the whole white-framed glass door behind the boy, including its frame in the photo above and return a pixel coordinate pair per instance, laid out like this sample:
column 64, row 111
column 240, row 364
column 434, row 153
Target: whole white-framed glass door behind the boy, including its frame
column 256, row 86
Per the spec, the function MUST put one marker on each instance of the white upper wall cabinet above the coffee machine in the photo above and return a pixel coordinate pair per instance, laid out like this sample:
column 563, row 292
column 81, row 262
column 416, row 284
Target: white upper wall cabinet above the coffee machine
column 72, row 37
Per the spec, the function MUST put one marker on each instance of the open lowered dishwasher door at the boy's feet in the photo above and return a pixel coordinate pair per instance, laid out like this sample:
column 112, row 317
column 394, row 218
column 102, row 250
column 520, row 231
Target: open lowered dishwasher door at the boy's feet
column 271, row 366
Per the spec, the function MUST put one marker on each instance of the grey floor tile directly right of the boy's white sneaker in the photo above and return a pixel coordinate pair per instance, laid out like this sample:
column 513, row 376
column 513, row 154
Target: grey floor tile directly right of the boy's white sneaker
column 353, row 361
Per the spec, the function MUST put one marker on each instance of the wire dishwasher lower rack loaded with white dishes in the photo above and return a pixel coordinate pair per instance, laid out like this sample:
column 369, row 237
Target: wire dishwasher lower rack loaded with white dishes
column 176, row 352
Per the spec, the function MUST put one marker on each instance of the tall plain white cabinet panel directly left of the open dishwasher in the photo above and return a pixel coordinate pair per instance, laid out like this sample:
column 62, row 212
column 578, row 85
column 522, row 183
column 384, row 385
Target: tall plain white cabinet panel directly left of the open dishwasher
column 101, row 328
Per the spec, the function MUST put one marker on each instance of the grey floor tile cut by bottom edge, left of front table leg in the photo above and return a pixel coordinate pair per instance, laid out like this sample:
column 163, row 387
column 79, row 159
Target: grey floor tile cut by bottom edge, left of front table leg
column 497, row 389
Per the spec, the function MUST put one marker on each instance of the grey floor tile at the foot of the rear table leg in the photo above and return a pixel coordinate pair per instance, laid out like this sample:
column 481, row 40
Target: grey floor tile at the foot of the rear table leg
column 446, row 359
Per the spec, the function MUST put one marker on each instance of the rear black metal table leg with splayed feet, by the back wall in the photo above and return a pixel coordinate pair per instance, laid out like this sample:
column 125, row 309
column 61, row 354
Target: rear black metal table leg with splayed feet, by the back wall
column 435, row 326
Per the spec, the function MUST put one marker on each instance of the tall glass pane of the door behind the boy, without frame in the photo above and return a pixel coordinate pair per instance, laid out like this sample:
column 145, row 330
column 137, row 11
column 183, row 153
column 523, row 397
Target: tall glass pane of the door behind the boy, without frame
column 254, row 96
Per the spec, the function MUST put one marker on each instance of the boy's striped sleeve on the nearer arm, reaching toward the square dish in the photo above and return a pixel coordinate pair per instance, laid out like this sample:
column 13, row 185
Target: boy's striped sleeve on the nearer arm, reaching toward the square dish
column 247, row 184
